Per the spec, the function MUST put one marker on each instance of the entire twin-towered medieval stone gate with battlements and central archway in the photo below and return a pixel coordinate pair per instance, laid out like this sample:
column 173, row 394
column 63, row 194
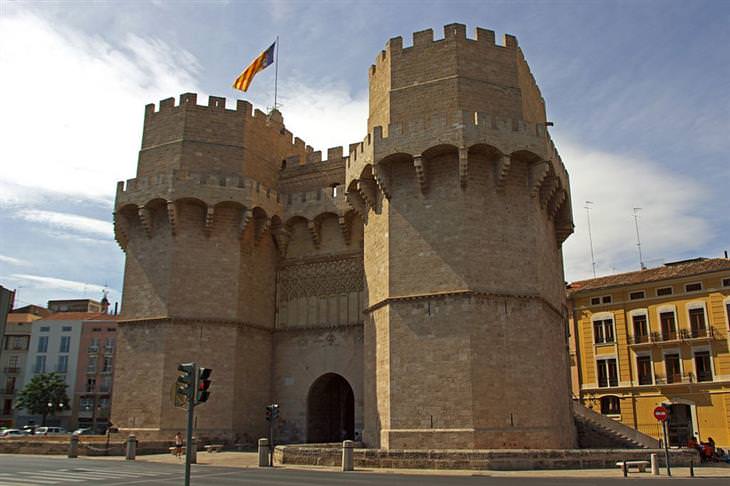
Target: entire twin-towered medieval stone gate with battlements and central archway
column 409, row 294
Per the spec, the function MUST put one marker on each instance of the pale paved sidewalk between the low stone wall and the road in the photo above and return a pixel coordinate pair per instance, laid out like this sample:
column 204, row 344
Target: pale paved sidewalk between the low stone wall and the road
column 250, row 460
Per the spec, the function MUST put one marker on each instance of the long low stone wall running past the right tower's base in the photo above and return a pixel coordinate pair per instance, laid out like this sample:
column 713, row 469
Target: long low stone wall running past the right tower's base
column 504, row 460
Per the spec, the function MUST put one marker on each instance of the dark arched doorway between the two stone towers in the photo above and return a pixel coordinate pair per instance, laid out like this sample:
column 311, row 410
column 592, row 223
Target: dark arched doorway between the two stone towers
column 330, row 410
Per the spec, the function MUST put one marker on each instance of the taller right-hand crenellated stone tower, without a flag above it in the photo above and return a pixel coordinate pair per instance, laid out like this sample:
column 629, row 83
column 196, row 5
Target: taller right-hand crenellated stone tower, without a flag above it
column 465, row 204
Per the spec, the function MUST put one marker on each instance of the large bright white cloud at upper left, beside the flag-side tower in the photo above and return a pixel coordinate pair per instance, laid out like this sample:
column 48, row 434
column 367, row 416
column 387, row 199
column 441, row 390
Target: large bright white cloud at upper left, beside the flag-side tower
column 72, row 114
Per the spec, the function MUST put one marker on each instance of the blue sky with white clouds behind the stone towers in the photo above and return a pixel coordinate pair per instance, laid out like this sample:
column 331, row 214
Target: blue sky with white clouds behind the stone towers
column 638, row 92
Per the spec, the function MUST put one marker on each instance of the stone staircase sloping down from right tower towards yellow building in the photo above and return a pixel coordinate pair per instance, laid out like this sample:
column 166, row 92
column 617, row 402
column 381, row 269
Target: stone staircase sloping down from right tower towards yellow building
column 596, row 431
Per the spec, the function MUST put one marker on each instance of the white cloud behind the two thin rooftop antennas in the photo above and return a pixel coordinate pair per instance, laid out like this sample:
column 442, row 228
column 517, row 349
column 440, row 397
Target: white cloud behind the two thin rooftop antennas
column 669, row 220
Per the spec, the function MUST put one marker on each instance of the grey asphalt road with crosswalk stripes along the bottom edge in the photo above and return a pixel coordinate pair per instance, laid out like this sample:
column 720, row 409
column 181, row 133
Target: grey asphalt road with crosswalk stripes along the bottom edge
column 40, row 471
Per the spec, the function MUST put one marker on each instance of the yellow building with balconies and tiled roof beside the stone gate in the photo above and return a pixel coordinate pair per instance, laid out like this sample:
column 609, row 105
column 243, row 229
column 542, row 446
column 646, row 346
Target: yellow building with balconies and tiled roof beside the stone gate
column 652, row 337
